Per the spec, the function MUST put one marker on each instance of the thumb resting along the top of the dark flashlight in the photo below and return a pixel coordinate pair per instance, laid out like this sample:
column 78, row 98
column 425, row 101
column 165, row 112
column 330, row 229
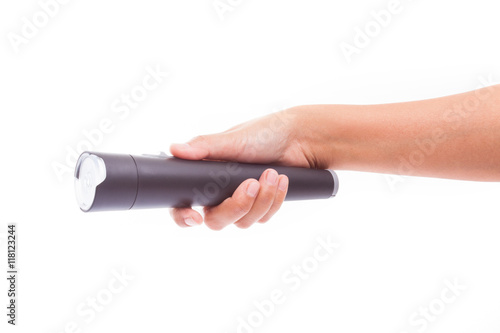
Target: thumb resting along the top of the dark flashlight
column 213, row 147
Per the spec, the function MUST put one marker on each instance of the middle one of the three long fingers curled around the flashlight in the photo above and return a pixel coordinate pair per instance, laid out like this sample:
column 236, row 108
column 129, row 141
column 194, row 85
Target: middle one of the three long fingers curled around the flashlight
column 268, row 187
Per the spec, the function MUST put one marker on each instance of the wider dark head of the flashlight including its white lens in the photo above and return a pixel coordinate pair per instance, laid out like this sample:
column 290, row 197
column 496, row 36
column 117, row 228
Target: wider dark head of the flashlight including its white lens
column 105, row 181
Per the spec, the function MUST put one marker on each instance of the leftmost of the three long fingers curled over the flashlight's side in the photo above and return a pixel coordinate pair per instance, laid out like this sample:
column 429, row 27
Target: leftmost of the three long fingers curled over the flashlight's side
column 233, row 208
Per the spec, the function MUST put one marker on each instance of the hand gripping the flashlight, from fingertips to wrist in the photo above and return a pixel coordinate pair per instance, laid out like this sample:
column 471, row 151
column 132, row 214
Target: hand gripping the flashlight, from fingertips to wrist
column 270, row 139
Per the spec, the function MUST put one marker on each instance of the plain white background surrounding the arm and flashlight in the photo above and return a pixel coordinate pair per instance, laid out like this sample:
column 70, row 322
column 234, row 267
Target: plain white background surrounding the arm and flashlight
column 398, row 243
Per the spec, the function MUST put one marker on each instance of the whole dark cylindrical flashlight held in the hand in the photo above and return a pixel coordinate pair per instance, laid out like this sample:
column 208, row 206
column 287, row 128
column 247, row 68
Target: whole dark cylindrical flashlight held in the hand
column 105, row 181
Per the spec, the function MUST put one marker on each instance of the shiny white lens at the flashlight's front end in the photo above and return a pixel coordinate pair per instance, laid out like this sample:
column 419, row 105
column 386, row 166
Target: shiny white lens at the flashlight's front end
column 90, row 172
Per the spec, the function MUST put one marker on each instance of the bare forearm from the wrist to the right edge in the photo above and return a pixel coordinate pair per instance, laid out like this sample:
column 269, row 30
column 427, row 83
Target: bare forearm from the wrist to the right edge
column 456, row 136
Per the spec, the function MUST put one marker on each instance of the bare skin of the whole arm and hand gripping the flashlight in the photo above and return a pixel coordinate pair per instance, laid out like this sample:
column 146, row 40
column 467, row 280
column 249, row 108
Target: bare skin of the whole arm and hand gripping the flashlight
column 455, row 137
